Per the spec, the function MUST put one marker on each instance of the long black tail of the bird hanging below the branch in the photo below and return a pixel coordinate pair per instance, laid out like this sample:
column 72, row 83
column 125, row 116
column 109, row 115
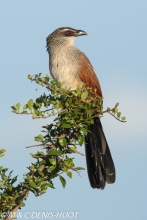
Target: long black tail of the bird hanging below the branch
column 100, row 165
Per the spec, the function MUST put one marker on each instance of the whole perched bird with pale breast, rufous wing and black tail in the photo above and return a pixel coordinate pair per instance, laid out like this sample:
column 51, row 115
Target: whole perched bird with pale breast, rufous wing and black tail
column 70, row 66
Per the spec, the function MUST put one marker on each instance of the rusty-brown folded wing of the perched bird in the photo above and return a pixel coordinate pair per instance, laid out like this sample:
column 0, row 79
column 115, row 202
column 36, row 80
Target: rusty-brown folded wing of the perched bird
column 87, row 74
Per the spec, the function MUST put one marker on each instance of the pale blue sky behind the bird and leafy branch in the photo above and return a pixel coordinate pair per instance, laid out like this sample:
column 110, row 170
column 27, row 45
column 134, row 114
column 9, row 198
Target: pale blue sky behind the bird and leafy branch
column 116, row 44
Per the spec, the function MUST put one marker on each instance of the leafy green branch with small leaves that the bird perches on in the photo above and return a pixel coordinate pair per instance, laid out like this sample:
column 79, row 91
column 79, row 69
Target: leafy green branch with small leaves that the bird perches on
column 79, row 109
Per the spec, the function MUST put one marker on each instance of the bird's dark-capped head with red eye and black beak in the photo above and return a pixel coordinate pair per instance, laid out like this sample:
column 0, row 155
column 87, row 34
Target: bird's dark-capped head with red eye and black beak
column 63, row 36
